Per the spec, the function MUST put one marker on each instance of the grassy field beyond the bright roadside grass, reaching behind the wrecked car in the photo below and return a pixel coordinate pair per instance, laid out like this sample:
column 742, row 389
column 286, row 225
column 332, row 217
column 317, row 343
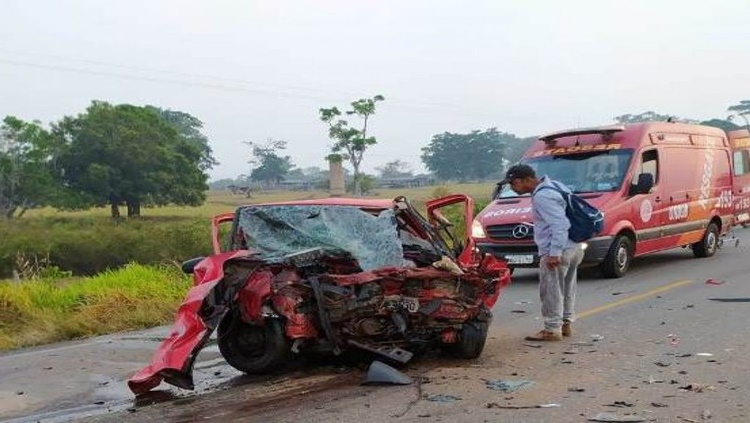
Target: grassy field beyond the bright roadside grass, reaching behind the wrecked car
column 87, row 242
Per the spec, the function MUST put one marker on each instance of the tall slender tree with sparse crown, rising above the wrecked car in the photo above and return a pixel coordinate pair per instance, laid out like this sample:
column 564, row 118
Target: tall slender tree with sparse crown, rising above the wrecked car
column 351, row 143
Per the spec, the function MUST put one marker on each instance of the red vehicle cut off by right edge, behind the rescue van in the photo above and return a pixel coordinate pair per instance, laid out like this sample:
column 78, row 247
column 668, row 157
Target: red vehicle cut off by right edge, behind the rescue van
column 740, row 141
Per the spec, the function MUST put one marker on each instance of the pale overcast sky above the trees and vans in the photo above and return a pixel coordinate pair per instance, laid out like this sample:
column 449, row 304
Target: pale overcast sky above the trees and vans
column 251, row 70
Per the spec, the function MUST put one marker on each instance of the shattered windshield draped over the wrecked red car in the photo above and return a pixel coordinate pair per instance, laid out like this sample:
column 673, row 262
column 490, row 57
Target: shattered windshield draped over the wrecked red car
column 277, row 231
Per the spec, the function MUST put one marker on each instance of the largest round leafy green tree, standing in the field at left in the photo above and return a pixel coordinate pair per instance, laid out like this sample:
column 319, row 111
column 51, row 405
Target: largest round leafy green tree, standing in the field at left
column 125, row 154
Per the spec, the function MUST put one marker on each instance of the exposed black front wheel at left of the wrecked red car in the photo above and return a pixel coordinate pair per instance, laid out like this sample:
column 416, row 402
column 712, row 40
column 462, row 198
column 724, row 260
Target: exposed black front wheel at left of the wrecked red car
column 250, row 348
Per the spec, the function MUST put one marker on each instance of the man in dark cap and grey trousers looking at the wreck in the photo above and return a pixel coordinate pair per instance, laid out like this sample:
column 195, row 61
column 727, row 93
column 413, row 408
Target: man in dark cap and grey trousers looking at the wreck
column 559, row 257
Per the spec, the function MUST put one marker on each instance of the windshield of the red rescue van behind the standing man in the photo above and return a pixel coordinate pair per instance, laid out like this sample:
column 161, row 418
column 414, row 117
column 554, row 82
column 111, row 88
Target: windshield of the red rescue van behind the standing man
column 597, row 171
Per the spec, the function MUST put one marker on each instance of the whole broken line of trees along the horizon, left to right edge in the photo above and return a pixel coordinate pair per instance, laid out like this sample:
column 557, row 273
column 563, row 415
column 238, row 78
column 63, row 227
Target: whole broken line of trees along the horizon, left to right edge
column 142, row 156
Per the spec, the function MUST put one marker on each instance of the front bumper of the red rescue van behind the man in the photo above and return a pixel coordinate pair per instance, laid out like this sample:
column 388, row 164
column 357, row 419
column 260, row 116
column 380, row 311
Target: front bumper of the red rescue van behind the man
column 527, row 255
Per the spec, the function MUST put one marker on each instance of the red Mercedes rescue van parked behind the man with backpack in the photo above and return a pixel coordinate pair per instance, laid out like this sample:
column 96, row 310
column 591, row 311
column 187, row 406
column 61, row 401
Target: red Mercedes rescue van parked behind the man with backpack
column 660, row 185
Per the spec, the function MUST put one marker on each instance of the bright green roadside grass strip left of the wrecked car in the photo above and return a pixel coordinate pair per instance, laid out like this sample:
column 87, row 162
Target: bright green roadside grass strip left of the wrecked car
column 133, row 297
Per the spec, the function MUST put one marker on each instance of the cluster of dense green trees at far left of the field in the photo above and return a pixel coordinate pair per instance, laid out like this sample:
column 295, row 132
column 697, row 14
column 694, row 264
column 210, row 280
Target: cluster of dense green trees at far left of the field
column 109, row 155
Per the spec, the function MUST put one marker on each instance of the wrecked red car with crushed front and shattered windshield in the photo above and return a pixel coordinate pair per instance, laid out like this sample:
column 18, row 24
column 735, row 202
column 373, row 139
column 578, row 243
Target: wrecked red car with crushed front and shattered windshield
column 333, row 275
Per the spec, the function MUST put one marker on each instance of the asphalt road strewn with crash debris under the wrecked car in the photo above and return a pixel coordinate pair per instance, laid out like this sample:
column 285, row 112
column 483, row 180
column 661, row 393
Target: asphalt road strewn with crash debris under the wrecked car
column 659, row 344
